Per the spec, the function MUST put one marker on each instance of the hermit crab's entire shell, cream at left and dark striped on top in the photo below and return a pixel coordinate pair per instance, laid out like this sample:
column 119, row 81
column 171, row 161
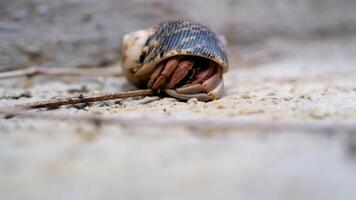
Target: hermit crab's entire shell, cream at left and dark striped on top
column 144, row 49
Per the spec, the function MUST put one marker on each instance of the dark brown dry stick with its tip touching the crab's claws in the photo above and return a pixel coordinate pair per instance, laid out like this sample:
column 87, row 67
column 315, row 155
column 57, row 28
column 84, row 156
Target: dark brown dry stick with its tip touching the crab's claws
column 55, row 103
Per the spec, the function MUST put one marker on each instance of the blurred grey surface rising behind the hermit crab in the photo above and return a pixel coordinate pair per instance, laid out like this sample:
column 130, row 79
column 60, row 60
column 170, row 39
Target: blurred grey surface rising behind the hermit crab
column 72, row 33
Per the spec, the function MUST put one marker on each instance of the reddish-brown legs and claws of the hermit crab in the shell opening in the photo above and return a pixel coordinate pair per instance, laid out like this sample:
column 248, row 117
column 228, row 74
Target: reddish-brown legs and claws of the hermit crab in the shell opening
column 206, row 84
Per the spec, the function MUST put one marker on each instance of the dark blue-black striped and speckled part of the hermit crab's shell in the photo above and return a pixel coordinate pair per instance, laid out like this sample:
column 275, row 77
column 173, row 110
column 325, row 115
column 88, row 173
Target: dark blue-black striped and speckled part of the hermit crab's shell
column 181, row 37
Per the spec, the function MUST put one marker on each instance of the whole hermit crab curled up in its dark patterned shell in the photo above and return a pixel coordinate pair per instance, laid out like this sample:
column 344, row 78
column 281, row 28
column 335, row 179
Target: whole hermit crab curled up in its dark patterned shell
column 178, row 57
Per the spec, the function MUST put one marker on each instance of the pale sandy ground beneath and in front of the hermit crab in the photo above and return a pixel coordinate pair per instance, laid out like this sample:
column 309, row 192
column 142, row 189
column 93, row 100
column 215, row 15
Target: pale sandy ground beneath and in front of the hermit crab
column 308, row 84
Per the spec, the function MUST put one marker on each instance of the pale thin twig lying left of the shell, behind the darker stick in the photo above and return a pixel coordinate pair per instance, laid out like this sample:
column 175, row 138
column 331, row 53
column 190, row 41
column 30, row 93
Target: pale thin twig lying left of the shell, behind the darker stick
column 112, row 71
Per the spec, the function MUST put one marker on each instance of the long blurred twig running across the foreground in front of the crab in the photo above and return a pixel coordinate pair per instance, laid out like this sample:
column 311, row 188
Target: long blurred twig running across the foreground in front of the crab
column 219, row 125
